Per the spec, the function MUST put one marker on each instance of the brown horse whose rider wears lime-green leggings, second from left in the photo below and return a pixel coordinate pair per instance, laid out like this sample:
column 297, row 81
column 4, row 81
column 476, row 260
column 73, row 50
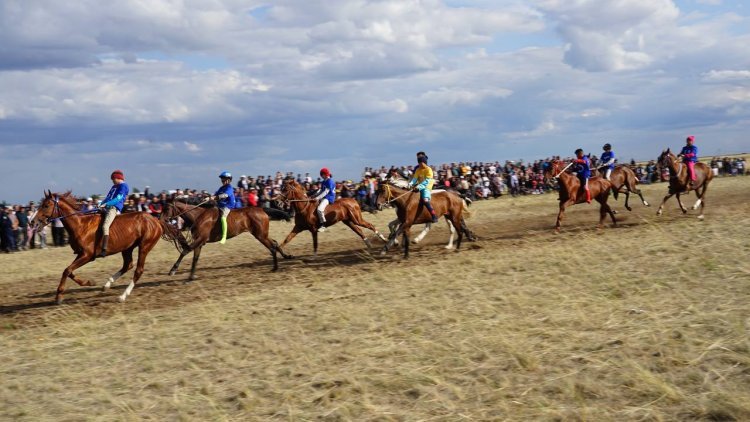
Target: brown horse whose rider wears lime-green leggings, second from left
column 202, row 220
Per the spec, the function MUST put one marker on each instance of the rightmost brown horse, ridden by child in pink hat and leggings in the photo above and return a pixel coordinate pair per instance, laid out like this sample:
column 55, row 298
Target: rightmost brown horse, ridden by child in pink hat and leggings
column 678, row 181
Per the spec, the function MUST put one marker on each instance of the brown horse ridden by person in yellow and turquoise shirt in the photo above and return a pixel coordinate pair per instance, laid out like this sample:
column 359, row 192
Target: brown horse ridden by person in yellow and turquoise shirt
column 410, row 211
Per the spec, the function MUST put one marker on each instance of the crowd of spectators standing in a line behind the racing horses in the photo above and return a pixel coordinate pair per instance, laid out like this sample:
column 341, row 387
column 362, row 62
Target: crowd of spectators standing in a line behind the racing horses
column 473, row 180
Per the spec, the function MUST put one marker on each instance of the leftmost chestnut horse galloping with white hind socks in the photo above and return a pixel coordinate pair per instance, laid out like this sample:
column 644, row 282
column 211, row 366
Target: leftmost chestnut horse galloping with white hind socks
column 128, row 231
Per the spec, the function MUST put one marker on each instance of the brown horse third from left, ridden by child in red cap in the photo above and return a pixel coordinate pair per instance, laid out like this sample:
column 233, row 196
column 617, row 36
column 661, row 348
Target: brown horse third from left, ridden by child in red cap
column 346, row 210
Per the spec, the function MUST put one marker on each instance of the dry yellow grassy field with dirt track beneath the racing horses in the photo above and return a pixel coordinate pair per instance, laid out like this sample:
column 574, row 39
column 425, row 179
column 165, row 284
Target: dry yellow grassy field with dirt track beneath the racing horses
column 645, row 321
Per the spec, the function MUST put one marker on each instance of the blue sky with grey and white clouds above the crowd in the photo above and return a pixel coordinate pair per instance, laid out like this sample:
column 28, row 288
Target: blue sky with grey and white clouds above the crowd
column 173, row 92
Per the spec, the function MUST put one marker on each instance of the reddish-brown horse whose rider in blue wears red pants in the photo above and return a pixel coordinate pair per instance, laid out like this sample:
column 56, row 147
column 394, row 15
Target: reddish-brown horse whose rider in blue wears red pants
column 571, row 192
